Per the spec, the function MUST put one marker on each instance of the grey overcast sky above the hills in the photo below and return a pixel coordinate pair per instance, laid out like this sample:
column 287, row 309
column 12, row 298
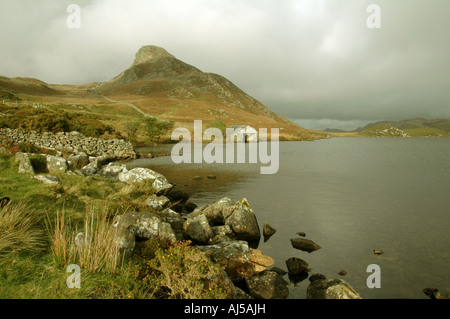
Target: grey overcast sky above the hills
column 313, row 61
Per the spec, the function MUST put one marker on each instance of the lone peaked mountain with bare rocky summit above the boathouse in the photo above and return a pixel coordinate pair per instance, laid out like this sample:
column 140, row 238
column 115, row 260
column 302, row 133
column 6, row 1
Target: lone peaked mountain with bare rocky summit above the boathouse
column 160, row 84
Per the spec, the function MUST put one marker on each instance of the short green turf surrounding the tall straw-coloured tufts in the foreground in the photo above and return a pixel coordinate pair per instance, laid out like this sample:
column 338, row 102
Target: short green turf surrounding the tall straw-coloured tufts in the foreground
column 36, row 275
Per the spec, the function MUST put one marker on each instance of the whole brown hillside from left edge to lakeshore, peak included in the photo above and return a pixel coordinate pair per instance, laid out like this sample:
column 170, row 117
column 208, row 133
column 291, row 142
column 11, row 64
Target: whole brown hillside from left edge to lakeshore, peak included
column 156, row 84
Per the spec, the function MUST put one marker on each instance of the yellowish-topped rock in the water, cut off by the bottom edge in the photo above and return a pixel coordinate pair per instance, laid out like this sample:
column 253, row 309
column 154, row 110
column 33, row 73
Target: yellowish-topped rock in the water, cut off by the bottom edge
column 331, row 289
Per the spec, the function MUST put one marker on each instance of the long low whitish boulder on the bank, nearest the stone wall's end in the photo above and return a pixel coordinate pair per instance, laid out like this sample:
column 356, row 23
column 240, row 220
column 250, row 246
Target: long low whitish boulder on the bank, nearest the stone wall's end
column 139, row 175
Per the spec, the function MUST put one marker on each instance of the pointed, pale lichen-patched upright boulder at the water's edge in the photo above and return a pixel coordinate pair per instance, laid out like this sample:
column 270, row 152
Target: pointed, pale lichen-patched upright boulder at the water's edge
column 243, row 221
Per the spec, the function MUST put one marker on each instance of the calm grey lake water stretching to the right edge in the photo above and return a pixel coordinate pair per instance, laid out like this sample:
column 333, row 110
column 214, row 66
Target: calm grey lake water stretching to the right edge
column 350, row 195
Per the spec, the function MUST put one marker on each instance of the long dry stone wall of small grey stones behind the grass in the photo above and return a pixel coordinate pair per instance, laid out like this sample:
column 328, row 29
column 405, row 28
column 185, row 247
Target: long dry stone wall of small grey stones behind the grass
column 71, row 142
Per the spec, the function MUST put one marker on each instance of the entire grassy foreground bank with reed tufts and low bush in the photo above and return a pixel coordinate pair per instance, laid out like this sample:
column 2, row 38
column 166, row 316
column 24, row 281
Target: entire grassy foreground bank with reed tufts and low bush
column 37, row 244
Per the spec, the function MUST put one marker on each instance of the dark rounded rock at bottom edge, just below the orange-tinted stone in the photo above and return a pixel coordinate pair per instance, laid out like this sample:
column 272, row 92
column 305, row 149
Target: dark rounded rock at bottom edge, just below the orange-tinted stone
column 267, row 285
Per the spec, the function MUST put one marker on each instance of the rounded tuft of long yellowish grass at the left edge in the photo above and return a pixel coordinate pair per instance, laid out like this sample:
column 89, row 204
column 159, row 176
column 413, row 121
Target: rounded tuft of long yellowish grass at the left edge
column 18, row 229
